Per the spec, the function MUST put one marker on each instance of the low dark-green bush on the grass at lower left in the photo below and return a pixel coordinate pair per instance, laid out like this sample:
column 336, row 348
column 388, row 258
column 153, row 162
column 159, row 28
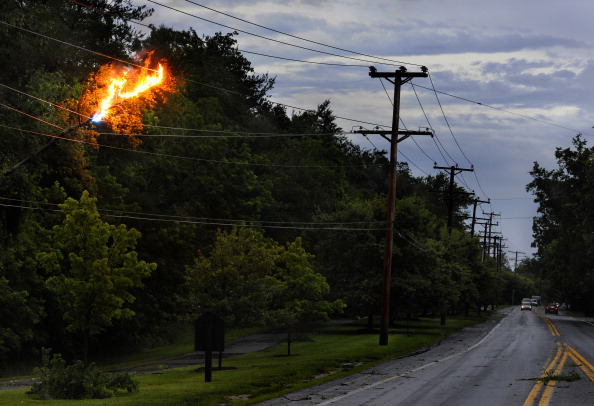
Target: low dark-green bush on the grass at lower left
column 61, row 381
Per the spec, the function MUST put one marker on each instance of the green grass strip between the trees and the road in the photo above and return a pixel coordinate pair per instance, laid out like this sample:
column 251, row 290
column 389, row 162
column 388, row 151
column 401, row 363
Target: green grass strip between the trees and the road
column 323, row 355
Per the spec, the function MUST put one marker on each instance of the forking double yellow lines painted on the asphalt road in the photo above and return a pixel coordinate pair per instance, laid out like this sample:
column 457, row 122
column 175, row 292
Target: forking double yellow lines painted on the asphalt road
column 555, row 367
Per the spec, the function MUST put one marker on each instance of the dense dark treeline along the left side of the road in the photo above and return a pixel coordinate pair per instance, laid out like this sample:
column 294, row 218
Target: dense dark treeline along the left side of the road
column 225, row 200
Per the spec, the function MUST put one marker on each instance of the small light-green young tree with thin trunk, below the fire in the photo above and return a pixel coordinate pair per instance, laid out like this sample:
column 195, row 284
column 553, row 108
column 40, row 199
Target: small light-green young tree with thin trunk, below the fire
column 92, row 267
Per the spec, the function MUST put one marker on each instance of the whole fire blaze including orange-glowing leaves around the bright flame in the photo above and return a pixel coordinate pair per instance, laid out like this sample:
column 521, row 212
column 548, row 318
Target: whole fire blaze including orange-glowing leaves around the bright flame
column 118, row 95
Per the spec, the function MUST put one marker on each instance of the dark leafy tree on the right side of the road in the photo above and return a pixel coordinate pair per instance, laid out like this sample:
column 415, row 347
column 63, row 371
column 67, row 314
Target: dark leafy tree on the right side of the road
column 563, row 231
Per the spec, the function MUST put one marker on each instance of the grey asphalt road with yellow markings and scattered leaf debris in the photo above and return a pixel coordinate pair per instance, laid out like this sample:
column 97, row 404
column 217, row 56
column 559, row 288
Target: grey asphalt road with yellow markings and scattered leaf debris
column 500, row 367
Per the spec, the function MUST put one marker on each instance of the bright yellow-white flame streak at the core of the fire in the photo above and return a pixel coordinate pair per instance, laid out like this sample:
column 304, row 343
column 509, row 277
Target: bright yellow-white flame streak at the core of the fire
column 128, row 84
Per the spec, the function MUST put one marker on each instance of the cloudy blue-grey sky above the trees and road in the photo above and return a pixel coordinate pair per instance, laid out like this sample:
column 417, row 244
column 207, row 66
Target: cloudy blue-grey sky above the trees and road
column 513, row 80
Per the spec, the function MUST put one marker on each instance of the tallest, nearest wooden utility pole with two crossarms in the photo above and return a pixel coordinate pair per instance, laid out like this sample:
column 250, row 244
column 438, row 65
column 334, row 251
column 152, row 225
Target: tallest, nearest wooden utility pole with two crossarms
column 398, row 78
